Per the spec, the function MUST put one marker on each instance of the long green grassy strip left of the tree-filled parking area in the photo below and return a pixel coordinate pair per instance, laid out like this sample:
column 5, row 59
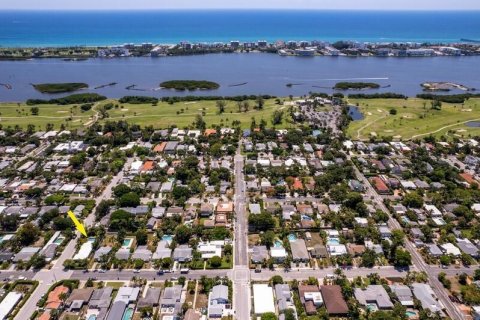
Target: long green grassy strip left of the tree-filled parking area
column 163, row 115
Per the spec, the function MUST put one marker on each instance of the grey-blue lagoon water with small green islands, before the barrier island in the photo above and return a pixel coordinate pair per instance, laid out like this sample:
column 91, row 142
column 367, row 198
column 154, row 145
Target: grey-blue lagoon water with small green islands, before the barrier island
column 262, row 73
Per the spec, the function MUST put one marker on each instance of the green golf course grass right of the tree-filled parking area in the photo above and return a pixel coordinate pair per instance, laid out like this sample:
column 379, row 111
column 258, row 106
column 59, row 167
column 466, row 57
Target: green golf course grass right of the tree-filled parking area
column 414, row 118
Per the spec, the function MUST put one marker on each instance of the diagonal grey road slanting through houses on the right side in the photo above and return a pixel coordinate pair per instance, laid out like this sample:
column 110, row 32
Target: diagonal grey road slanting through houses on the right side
column 417, row 259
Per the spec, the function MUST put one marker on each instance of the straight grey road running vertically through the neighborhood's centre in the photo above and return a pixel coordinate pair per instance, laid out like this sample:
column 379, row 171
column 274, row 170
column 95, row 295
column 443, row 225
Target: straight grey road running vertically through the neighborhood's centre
column 241, row 272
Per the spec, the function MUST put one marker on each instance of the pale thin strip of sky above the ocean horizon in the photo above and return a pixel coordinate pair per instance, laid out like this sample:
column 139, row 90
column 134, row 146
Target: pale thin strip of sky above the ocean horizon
column 241, row 4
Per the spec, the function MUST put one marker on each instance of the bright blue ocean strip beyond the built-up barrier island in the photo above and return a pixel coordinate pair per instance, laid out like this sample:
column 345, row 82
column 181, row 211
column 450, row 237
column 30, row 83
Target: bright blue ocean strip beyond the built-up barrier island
column 71, row 28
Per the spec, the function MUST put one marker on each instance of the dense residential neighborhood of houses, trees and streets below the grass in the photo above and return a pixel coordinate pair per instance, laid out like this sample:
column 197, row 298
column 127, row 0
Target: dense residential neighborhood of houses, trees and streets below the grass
column 231, row 223
